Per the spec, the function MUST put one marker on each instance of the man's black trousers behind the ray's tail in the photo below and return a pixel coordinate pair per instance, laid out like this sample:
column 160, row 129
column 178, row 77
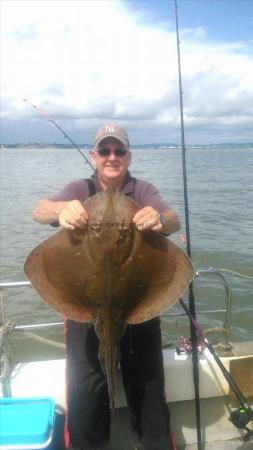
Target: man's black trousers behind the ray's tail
column 88, row 415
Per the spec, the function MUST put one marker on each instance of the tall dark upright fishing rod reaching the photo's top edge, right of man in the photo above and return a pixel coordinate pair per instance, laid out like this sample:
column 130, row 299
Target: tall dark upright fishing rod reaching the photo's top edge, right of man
column 188, row 246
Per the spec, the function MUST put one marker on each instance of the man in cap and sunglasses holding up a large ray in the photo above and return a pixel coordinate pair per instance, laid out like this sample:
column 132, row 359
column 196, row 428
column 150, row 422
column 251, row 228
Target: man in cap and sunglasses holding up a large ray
column 88, row 415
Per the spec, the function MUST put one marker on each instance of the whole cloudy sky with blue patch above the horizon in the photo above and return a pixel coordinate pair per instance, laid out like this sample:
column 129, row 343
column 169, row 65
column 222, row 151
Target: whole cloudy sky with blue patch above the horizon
column 89, row 62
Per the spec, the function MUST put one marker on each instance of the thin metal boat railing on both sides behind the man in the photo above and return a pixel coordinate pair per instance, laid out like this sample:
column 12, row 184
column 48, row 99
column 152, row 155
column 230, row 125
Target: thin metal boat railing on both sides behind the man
column 199, row 273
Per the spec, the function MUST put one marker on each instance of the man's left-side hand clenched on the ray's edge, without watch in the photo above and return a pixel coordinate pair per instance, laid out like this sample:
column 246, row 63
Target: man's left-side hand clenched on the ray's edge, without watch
column 73, row 215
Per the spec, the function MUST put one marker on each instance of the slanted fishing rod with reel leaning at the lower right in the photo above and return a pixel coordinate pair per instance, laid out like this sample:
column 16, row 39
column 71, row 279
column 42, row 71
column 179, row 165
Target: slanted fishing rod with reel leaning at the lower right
column 244, row 414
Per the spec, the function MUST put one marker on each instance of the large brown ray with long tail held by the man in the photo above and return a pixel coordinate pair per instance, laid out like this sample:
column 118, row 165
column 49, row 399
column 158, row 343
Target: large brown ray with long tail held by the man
column 109, row 273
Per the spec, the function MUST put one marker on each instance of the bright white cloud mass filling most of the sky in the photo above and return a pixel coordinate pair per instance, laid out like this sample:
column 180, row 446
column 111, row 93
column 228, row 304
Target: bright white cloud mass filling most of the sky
column 98, row 62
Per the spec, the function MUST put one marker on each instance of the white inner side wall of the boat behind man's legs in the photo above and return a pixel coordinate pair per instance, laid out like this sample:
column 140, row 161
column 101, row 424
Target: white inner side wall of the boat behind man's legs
column 48, row 378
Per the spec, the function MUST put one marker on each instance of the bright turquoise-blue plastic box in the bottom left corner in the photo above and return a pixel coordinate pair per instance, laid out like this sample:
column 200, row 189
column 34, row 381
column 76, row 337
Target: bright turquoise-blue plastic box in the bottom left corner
column 26, row 423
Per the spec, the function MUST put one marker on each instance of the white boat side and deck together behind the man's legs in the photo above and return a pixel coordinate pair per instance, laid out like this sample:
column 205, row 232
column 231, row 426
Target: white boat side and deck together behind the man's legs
column 47, row 378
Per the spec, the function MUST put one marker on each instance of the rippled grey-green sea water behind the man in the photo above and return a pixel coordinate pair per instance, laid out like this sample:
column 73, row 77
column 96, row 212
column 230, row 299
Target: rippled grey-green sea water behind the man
column 220, row 196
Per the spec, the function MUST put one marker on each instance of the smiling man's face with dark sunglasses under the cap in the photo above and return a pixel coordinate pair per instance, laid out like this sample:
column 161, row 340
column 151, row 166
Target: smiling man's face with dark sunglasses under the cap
column 111, row 167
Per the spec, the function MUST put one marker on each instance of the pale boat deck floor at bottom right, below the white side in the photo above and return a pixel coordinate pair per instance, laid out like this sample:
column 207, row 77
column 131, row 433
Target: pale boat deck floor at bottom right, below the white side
column 218, row 433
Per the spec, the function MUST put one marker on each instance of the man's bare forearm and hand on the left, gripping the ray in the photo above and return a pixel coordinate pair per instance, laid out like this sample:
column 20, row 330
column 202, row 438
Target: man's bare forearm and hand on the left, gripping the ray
column 70, row 215
